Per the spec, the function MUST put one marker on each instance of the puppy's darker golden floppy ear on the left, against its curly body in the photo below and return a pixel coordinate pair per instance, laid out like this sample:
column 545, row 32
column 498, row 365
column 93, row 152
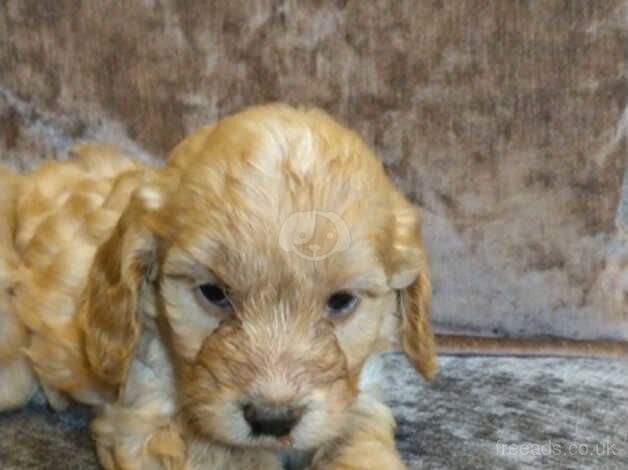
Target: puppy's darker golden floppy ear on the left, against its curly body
column 108, row 315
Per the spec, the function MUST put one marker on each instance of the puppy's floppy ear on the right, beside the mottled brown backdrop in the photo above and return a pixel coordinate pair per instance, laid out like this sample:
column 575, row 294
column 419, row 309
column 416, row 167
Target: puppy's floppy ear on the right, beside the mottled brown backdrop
column 411, row 278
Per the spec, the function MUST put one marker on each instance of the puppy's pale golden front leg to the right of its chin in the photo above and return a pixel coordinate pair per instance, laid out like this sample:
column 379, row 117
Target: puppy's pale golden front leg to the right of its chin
column 369, row 443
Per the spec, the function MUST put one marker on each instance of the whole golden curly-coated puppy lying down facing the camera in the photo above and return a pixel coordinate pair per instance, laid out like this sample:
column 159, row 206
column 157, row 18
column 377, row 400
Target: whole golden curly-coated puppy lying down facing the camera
column 222, row 311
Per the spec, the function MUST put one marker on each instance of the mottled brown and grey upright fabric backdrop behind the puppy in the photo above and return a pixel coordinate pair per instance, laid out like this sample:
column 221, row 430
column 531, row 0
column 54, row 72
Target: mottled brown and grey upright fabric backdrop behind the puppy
column 504, row 120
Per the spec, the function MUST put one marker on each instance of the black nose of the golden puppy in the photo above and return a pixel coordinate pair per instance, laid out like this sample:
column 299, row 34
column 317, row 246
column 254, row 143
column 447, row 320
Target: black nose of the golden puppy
column 271, row 420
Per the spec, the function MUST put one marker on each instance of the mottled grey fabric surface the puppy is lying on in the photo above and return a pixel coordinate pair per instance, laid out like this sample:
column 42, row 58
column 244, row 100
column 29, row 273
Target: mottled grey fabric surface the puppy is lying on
column 479, row 413
